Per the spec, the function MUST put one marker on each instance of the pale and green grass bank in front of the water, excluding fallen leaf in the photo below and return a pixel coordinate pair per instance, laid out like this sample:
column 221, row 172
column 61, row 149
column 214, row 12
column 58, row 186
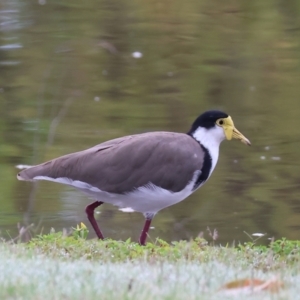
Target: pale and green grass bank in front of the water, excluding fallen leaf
column 55, row 266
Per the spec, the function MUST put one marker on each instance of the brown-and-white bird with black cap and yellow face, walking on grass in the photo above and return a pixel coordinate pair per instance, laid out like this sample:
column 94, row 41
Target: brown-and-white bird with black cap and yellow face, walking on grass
column 144, row 172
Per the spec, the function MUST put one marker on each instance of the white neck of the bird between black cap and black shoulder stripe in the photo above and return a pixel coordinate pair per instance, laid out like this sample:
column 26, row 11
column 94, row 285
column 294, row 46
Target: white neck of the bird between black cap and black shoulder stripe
column 211, row 140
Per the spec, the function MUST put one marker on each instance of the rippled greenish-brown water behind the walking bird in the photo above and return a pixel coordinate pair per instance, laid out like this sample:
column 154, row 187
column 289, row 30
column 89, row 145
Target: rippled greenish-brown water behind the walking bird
column 75, row 74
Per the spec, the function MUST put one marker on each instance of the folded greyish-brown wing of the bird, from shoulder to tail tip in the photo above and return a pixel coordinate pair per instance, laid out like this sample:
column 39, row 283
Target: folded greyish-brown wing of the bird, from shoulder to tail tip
column 165, row 159
